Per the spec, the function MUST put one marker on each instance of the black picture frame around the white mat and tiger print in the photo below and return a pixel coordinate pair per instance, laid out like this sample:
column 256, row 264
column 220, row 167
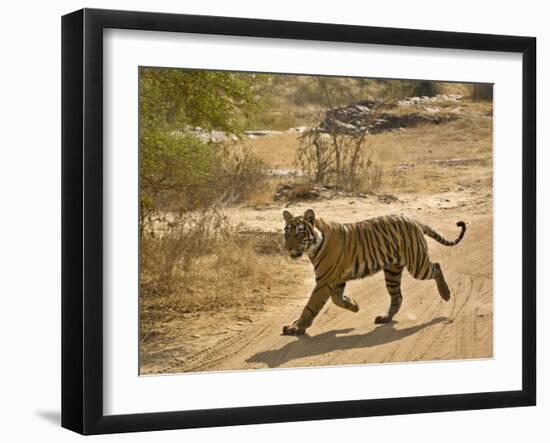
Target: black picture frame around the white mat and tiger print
column 82, row 221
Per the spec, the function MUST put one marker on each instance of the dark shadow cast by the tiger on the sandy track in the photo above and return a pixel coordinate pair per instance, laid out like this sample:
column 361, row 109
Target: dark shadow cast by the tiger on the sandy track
column 330, row 341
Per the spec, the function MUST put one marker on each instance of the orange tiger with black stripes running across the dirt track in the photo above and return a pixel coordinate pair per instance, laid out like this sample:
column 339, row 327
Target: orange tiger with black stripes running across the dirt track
column 340, row 252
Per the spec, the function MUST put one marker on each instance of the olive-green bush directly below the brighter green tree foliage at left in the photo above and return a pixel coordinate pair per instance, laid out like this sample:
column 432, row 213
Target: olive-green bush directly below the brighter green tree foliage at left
column 212, row 174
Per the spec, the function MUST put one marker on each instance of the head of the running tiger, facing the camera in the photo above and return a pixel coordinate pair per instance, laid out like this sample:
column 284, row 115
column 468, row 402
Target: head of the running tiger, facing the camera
column 300, row 233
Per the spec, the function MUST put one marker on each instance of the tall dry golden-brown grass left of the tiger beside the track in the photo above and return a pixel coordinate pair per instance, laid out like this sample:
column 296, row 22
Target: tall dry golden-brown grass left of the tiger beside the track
column 203, row 266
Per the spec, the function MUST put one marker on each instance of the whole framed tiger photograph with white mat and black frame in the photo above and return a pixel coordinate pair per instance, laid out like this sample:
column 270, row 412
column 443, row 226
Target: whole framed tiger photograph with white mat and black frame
column 269, row 221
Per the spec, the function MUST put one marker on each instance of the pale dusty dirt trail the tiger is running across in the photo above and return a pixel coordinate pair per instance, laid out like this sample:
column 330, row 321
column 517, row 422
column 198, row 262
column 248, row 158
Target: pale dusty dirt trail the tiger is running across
column 426, row 328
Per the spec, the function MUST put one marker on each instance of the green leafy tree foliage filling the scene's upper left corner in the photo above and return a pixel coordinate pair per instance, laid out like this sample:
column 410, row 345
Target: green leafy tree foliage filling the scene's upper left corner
column 176, row 168
